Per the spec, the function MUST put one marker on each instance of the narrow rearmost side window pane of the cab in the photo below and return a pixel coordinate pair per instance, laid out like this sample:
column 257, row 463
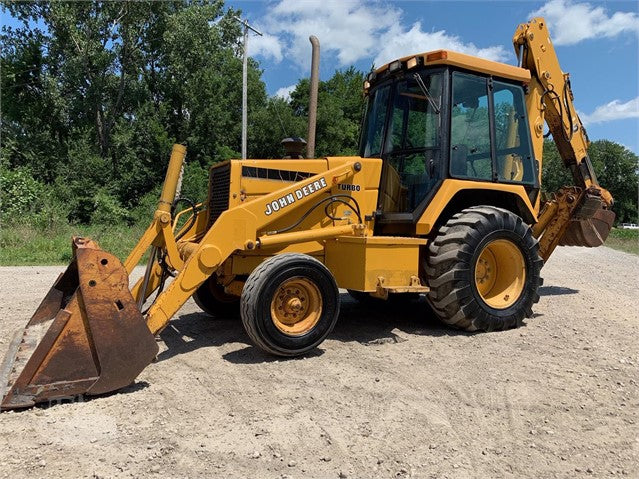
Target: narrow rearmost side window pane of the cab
column 514, row 156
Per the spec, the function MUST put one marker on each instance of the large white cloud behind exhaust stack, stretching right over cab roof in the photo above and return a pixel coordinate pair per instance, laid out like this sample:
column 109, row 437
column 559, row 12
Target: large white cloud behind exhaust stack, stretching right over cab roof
column 354, row 30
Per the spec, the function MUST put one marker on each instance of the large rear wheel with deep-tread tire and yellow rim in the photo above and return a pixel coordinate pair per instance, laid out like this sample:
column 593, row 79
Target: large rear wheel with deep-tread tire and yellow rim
column 483, row 270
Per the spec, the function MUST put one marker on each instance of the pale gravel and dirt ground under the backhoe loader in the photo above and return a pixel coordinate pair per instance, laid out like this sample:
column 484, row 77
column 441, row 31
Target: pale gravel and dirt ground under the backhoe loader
column 390, row 394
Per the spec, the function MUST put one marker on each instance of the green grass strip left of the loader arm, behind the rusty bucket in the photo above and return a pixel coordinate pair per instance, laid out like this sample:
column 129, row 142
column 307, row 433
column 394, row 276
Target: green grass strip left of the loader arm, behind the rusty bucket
column 26, row 245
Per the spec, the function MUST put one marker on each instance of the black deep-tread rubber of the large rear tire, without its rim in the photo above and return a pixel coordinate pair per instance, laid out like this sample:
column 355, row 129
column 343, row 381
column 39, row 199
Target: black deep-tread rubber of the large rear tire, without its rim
column 450, row 269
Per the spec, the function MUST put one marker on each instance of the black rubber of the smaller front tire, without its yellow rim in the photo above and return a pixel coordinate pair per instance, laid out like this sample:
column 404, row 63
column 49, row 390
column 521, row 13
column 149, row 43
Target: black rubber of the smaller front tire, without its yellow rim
column 259, row 290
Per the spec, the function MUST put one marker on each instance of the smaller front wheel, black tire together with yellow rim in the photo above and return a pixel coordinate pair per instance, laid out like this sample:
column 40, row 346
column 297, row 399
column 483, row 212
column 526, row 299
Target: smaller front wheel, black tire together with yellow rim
column 289, row 304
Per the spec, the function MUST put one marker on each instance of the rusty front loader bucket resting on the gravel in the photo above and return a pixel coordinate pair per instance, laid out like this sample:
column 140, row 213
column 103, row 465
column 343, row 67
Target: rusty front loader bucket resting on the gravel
column 86, row 337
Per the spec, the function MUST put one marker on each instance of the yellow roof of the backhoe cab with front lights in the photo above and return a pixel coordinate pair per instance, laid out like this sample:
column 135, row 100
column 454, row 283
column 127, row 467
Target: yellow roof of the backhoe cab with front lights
column 469, row 62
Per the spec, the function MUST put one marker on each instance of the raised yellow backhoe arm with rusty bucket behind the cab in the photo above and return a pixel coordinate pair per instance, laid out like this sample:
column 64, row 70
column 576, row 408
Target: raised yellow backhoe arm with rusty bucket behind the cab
column 576, row 215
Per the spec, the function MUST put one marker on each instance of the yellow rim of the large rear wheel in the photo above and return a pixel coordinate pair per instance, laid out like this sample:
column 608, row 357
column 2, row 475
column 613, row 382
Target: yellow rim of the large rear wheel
column 500, row 274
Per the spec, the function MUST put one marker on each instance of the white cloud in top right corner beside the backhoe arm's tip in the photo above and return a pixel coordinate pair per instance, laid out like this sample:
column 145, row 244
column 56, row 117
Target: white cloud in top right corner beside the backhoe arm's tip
column 571, row 22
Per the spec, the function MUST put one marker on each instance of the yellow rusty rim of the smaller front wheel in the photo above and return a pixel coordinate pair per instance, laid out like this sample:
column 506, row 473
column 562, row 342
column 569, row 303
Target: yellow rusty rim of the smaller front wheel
column 296, row 307
